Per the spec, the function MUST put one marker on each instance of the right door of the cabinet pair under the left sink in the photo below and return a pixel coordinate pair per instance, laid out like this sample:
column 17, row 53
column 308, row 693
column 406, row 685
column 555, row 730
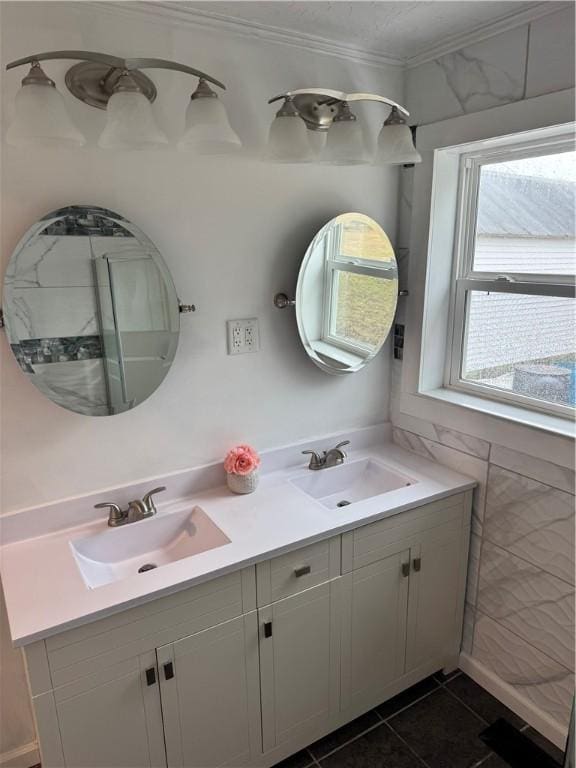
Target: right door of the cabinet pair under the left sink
column 209, row 687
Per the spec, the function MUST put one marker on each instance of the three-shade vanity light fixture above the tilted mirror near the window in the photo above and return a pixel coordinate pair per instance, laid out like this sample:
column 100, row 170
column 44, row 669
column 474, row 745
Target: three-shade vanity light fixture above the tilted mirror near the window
column 323, row 110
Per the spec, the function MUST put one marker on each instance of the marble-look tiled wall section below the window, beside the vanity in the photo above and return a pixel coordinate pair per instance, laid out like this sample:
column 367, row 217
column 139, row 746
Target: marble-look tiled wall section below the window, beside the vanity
column 519, row 618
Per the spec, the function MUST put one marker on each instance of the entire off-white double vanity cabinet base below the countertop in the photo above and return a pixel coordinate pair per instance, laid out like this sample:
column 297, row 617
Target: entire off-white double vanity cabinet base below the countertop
column 249, row 667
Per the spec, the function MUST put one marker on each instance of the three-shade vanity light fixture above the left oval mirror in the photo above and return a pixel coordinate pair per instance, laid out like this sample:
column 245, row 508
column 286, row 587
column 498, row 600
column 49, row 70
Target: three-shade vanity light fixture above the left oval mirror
column 117, row 85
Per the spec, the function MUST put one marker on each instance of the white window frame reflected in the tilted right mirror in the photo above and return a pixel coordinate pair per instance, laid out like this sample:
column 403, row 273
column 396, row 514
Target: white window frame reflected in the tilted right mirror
column 336, row 263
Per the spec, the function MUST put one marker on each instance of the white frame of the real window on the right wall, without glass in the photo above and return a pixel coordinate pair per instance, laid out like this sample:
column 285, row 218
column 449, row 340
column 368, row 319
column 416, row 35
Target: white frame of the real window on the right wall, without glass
column 465, row 279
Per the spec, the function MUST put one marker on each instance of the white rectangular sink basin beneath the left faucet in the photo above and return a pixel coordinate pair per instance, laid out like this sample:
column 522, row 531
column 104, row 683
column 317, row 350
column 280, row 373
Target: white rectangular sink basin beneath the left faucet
column 118, row 553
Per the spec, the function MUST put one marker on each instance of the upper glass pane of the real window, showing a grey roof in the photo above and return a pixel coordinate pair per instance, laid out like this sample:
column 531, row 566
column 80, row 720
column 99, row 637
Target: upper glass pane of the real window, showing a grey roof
column 526, row 216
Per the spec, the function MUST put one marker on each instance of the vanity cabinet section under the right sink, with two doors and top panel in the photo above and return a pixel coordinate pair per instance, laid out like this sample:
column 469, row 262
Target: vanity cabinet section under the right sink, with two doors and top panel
column 403, row 600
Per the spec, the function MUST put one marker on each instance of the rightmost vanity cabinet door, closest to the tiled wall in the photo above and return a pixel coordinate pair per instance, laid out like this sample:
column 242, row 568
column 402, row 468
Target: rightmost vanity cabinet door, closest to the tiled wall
column 434, row 604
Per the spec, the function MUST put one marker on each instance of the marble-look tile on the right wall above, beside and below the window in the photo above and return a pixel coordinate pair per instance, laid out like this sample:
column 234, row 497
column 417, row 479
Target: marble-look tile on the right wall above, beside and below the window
column 519, row 621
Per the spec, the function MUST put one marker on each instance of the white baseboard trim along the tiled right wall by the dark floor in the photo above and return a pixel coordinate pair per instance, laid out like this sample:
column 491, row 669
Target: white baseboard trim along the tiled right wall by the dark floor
column 519, row 704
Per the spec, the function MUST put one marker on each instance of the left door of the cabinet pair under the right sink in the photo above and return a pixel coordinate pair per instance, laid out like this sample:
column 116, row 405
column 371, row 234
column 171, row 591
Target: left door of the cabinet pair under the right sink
column 374, row 630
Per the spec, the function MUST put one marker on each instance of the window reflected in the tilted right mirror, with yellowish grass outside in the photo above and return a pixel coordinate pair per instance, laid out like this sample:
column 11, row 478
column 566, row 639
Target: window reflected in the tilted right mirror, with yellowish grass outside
column 361, row 287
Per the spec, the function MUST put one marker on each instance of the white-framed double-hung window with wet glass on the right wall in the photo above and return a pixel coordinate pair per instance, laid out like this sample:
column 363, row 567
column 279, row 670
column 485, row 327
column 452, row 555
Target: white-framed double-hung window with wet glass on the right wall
column 513, row 308
